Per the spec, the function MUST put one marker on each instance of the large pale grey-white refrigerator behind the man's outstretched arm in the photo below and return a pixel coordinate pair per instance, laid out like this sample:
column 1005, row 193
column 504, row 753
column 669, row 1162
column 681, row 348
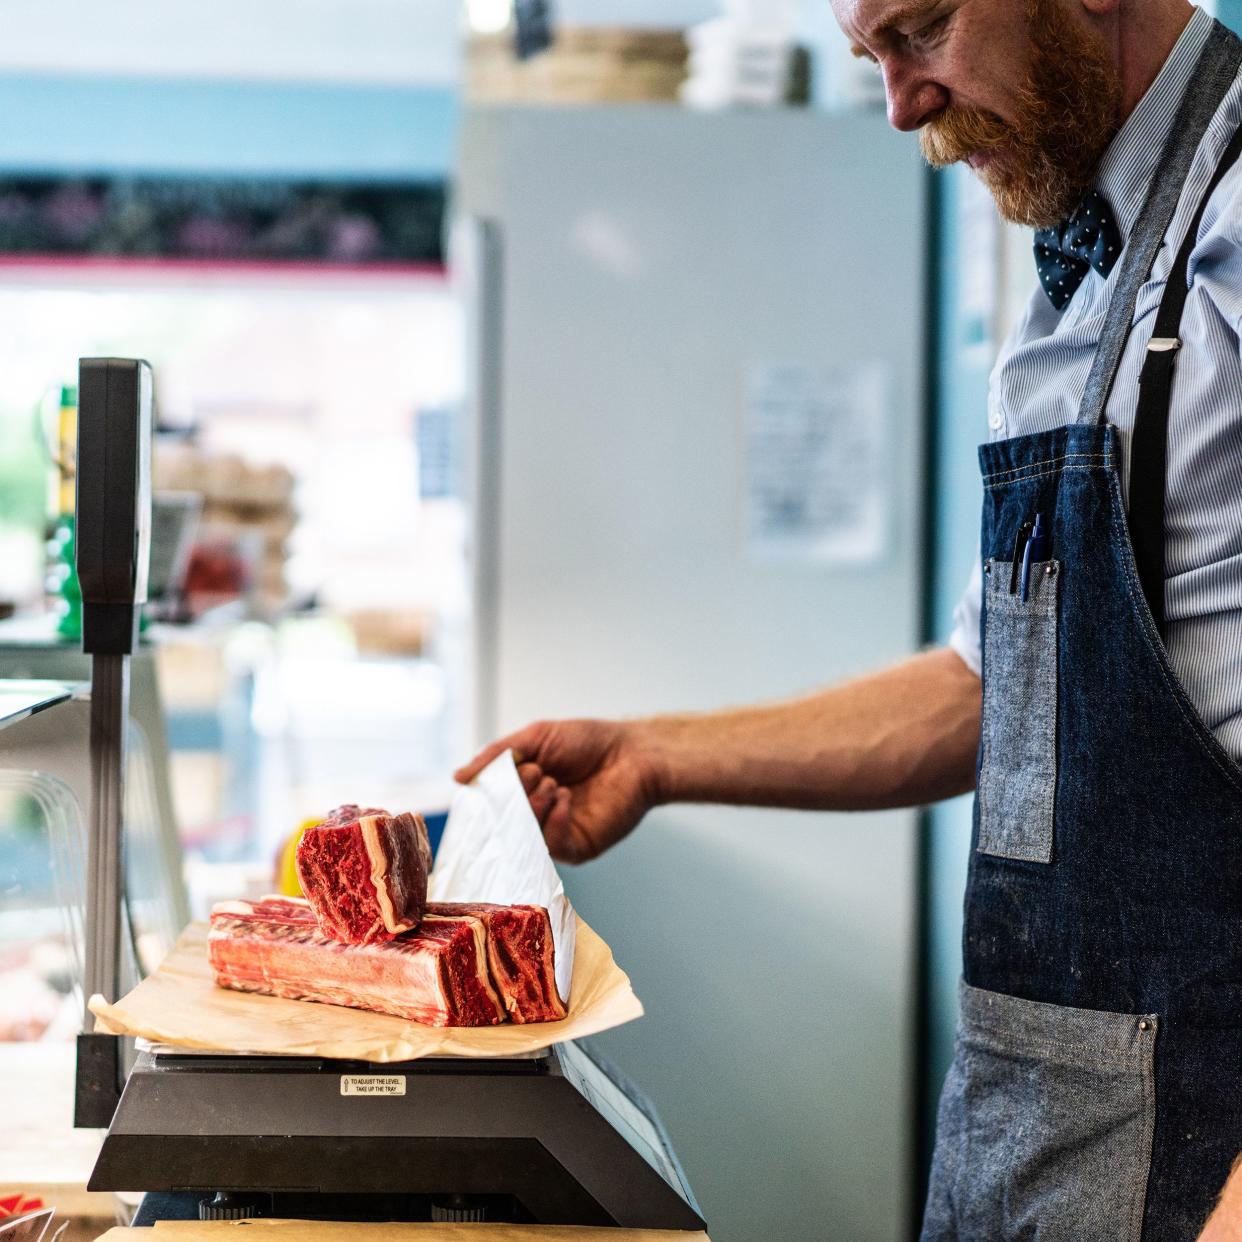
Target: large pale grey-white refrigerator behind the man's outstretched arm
column 697, row 415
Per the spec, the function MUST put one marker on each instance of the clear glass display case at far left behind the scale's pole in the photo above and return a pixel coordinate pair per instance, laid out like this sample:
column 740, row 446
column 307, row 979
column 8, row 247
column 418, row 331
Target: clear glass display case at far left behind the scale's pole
column 44, row 802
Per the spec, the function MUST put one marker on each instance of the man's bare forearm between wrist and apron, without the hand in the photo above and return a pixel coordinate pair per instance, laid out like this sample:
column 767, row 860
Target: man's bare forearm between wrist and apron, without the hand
column 902, row 737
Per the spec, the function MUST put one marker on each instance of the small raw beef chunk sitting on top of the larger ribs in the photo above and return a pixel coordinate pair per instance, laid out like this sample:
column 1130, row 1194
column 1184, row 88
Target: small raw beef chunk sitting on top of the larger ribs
column 366, row 874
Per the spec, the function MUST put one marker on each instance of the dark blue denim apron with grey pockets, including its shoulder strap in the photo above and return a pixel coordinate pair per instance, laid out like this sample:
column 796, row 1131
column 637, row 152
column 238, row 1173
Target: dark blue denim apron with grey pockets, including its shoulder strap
column 1096, row 1092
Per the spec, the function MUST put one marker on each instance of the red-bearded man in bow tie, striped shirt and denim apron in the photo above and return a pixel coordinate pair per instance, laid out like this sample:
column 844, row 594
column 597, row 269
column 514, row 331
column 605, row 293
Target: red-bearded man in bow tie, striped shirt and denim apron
column 1092, row 691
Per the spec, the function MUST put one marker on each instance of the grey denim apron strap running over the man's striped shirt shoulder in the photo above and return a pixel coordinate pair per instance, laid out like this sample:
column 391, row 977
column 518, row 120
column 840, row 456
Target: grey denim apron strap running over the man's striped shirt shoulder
column 1214, row 75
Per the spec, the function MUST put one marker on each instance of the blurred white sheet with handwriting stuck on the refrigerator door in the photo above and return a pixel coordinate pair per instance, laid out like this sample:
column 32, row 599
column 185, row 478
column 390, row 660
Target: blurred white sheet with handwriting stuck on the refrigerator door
column 818, row 483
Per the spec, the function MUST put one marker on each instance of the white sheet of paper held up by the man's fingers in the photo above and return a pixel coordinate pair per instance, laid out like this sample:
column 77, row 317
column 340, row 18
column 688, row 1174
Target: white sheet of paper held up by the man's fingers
column 494, row 850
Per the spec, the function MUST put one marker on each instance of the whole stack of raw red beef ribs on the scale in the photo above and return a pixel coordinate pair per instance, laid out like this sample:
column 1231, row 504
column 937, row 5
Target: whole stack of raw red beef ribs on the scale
column 367, row 938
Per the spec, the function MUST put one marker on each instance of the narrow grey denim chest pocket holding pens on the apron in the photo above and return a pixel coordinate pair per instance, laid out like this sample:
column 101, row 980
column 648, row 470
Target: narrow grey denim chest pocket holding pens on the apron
column 1018, row 778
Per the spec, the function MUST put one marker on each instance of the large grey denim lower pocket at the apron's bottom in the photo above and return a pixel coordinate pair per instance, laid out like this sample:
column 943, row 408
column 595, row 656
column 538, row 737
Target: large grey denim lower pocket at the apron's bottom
column 1046, row 1125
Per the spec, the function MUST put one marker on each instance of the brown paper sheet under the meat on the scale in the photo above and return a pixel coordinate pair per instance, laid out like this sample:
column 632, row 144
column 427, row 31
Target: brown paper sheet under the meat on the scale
column 181, row 1004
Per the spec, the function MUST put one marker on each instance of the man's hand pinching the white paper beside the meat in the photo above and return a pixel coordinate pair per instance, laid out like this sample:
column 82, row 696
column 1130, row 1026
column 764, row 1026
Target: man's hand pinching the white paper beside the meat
column 589, row 782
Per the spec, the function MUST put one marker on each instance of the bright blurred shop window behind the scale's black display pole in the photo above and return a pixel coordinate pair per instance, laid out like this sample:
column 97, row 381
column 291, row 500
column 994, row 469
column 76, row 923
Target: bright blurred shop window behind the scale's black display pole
column 314, row 649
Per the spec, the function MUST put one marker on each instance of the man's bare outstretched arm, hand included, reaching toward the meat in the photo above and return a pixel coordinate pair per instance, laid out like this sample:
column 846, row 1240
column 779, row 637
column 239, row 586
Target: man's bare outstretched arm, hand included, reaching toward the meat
column 902, row 737
